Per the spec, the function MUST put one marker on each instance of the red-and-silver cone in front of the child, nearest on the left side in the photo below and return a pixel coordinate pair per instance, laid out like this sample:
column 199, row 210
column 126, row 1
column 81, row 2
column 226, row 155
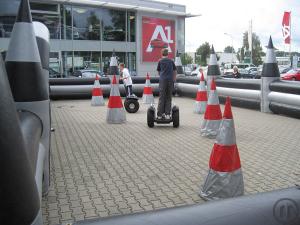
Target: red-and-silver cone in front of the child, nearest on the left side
column 115, row 112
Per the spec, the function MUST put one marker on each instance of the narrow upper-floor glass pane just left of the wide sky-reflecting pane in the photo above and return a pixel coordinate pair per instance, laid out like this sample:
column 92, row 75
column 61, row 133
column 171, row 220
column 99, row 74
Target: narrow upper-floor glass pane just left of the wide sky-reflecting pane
column 66, row 28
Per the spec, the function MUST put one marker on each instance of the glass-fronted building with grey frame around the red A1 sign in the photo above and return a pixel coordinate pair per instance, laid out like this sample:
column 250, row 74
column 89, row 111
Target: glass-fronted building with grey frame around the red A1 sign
column 83, row 36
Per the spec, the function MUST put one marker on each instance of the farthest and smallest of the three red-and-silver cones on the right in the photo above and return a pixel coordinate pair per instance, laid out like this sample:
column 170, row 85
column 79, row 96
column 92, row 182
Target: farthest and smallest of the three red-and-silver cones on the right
column 201, row 98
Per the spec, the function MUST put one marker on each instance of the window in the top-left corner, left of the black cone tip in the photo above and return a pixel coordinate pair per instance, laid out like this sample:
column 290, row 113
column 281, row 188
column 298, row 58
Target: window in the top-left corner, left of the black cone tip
column 8, row 12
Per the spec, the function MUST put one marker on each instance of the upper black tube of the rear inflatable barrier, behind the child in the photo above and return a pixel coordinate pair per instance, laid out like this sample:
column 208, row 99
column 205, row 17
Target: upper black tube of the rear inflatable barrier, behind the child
column 90, row 81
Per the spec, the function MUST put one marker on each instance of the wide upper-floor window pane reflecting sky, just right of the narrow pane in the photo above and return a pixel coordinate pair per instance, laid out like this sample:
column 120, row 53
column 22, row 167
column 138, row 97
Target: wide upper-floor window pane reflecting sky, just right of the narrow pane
column 86, row 23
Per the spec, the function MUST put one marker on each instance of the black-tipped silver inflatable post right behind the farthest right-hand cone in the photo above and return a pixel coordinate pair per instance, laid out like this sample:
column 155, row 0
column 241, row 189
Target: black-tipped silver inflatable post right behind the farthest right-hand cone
column 213, row 69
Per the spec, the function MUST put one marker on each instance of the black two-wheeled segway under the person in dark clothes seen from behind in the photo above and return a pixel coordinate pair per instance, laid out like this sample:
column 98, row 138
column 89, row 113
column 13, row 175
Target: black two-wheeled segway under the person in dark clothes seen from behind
column 152, row 118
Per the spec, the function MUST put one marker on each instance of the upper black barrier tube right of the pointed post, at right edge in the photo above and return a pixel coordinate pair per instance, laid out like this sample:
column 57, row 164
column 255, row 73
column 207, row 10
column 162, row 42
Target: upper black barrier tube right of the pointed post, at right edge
column 289, row 87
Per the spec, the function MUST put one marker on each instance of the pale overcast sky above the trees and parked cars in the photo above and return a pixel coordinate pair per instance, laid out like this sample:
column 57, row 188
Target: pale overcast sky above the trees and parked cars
column 233, row 16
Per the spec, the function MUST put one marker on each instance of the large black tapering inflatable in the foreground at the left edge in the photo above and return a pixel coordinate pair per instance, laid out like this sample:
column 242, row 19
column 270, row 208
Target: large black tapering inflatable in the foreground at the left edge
column 19, row 199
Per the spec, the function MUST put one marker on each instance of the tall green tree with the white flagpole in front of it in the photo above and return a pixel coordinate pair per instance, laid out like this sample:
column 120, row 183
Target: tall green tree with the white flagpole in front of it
column 257, row 52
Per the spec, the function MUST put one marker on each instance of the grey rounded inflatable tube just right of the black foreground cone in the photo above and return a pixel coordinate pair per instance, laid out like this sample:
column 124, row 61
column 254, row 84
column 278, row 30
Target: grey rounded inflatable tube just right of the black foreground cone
column 31, row 127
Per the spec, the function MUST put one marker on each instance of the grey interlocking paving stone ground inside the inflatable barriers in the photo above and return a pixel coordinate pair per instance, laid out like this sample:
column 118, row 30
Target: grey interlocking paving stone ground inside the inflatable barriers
column 100, row 170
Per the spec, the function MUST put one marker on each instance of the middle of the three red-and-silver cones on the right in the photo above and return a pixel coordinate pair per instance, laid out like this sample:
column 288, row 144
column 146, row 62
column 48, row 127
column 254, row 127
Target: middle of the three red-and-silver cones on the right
column 213, row 115
